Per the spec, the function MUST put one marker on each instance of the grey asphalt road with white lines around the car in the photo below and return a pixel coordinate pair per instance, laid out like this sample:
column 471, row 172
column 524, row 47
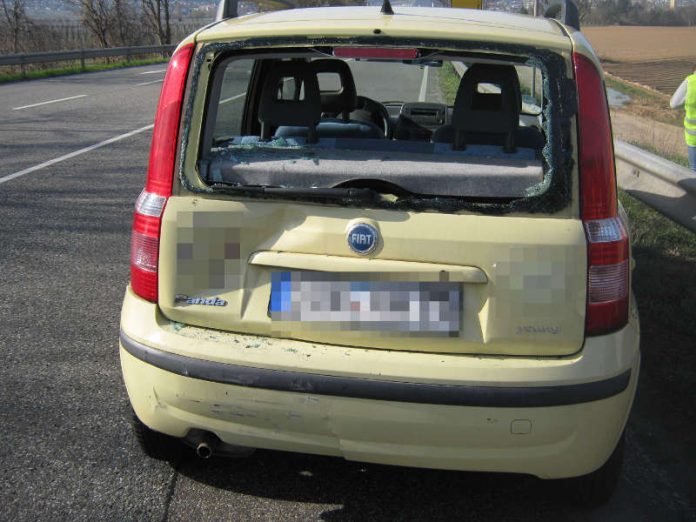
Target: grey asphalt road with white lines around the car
column 67, row 451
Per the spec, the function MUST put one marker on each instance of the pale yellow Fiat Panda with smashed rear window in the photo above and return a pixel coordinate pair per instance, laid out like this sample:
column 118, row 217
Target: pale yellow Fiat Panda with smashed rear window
column 387, row 234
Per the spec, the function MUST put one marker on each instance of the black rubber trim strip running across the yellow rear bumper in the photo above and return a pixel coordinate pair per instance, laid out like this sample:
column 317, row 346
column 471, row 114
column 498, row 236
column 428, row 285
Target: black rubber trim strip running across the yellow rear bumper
column 383, row 390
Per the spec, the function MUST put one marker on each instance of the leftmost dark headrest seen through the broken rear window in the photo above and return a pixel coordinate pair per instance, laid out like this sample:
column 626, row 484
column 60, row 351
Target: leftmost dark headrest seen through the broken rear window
column 274, row 110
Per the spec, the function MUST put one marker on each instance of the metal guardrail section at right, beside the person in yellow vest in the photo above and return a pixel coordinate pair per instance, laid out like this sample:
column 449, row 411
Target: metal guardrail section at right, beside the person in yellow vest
column 659, row 183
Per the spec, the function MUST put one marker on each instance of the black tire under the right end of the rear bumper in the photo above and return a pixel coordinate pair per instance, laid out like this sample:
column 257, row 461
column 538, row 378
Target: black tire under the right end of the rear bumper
column 596, row 488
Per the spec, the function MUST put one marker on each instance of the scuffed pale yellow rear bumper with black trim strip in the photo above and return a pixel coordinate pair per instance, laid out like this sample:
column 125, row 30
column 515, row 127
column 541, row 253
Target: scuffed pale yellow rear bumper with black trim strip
column 548, row 417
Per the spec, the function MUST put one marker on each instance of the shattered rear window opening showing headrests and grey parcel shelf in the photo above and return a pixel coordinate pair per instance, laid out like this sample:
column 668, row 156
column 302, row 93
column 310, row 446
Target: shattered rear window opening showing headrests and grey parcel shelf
column 441, row 130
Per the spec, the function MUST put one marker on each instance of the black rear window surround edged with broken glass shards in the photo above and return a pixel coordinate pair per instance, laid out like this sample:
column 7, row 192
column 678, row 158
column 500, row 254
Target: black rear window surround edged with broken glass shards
column 549, row 196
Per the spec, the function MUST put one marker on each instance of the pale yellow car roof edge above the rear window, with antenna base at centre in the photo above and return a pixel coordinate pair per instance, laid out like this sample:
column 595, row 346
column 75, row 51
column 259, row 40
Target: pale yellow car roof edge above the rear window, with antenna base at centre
column 413, row 22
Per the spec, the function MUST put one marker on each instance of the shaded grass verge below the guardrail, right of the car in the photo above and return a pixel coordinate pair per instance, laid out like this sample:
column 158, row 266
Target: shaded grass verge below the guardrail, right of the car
column 664, row 284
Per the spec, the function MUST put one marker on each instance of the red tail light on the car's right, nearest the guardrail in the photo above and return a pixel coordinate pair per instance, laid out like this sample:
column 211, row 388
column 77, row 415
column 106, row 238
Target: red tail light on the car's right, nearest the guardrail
column 607, row 239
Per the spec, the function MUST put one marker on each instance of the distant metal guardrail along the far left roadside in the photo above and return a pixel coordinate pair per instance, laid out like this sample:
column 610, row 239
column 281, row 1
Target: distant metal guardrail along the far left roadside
column 25, row 59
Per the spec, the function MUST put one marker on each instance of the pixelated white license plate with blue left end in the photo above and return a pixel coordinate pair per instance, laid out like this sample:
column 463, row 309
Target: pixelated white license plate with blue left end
column 321, row 297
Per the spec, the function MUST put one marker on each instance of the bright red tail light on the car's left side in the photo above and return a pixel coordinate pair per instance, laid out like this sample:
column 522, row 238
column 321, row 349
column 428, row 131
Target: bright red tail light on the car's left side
column 160, row 176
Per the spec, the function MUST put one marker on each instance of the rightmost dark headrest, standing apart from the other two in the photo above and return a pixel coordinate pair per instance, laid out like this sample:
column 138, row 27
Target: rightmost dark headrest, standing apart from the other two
column 480, row 112
